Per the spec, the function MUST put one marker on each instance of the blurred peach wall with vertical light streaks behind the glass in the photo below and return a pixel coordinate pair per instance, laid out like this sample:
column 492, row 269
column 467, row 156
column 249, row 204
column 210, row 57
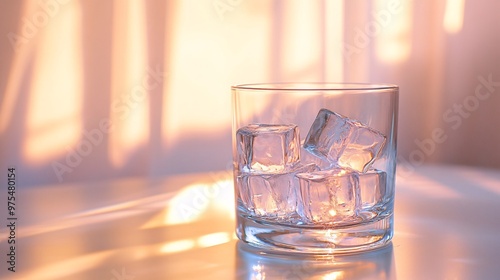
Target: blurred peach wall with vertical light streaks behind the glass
column 93, row 90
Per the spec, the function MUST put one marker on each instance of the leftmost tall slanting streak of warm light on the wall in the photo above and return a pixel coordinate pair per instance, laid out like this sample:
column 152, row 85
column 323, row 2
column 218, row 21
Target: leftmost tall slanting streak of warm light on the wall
column 53, row 120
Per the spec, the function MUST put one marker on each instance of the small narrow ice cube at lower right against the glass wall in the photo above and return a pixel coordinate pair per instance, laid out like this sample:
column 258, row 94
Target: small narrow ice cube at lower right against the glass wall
column 372, row 186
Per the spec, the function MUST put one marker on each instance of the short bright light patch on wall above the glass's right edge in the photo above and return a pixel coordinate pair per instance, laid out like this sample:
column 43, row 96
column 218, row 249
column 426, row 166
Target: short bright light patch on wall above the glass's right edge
column 393, row 43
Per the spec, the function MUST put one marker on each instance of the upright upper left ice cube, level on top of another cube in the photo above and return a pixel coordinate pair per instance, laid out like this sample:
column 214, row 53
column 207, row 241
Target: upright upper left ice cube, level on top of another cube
column 267, row 147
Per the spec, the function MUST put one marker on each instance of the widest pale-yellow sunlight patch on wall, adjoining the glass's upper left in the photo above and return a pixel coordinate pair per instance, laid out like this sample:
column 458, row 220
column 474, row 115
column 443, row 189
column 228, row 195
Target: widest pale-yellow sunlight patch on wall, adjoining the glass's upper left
column 207, row 56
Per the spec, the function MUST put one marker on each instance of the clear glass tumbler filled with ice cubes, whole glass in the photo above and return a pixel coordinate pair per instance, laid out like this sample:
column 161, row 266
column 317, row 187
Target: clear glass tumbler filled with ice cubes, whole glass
column 314, row 166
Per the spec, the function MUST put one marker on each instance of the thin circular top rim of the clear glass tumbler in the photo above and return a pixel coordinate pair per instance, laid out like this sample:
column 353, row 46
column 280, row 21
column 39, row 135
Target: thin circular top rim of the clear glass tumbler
column 314, row 86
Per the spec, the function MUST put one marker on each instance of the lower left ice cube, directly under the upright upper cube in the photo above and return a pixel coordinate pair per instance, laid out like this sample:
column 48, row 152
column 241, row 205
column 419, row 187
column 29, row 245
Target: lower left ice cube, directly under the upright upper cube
column 271, row 195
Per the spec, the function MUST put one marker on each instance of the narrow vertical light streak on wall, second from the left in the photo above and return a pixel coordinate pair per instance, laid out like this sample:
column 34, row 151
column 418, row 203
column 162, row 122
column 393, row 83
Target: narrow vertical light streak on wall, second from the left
column 129, row 102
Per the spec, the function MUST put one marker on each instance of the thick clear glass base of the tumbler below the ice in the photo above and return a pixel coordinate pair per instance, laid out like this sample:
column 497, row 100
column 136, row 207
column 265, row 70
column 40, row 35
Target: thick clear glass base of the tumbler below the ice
column 285, row 239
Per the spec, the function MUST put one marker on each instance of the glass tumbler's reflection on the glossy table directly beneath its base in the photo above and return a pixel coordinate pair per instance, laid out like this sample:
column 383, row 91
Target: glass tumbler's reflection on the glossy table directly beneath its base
column 377, row 264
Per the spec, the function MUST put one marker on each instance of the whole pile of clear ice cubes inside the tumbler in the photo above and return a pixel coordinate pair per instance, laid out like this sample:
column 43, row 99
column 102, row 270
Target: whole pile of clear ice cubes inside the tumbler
column 327, row 180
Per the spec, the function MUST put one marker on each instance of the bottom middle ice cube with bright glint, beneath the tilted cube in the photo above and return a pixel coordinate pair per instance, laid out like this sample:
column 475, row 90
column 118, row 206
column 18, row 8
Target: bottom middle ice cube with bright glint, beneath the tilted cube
column 329, row 196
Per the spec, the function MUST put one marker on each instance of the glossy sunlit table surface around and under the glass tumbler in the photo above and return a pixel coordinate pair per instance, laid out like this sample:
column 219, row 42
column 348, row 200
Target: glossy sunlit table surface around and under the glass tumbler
column 446, row 227
